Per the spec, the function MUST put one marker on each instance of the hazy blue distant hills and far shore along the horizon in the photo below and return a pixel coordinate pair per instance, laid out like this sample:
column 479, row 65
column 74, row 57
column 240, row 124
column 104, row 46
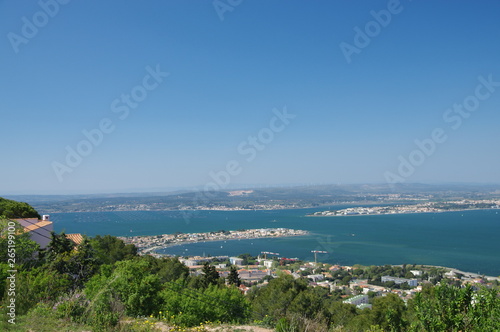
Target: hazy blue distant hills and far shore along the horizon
column 260, row 198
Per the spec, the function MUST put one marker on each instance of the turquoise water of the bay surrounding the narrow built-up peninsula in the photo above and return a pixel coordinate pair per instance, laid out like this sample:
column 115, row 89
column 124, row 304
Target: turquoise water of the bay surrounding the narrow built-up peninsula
column 467, row 240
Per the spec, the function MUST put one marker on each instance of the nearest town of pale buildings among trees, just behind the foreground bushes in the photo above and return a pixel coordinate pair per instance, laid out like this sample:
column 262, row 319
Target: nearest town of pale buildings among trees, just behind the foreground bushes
column 356, row 285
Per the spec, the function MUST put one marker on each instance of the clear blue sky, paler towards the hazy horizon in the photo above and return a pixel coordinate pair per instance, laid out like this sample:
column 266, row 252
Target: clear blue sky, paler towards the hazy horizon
column 353, row 120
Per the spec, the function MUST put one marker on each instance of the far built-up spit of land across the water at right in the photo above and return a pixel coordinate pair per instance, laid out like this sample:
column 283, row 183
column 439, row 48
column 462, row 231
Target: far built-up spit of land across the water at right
column 459, row 205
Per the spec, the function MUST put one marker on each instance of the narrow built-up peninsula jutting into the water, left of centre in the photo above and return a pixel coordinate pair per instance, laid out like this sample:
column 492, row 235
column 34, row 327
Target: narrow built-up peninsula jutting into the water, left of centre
column 146, row 244
